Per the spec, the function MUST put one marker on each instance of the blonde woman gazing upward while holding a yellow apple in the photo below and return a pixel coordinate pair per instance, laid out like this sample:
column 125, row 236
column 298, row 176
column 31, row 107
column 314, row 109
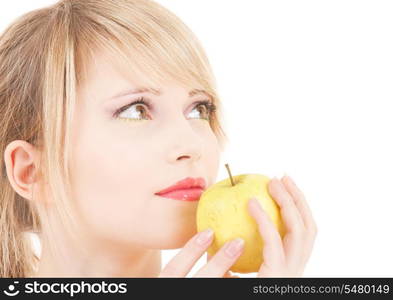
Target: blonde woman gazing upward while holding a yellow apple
column 104, row 103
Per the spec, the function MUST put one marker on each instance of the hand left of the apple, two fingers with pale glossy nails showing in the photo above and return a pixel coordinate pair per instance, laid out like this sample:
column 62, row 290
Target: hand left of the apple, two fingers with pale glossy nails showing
column 217, row 266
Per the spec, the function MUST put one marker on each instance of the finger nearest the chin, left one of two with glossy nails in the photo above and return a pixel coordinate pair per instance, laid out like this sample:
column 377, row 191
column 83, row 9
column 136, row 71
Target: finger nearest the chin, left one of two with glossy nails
column 181, row 264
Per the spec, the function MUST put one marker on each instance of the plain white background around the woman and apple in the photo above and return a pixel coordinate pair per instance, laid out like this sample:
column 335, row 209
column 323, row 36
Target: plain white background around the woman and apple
column 307, row 90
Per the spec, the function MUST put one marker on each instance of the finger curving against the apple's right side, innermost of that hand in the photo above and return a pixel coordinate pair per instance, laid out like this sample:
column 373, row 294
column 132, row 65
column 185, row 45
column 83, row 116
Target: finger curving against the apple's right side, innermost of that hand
column 273, row 252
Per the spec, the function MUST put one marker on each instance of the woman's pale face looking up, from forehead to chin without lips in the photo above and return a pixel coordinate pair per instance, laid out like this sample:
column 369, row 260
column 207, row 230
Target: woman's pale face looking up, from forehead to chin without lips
column 119, row 165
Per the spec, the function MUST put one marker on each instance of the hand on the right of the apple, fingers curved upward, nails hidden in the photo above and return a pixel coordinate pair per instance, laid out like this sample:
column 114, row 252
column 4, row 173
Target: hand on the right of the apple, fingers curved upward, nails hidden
column 285, row 257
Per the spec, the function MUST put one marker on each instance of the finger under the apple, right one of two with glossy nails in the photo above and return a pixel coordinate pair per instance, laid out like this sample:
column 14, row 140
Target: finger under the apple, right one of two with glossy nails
column 220, row 263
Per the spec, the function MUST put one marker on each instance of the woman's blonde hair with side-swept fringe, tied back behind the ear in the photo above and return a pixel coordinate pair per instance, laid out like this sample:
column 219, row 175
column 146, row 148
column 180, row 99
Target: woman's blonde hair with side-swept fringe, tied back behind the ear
column 44, row 56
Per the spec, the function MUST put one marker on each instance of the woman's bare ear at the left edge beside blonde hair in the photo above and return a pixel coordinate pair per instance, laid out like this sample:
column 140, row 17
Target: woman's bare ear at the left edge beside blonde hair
column 21, row 161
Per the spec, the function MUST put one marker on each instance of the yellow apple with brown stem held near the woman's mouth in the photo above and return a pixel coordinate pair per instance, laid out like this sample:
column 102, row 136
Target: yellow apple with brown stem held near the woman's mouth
column 223, row 208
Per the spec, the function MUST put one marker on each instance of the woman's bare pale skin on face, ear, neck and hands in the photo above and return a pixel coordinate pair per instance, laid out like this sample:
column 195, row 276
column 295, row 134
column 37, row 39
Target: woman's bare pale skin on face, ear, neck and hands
column 117, row 170
